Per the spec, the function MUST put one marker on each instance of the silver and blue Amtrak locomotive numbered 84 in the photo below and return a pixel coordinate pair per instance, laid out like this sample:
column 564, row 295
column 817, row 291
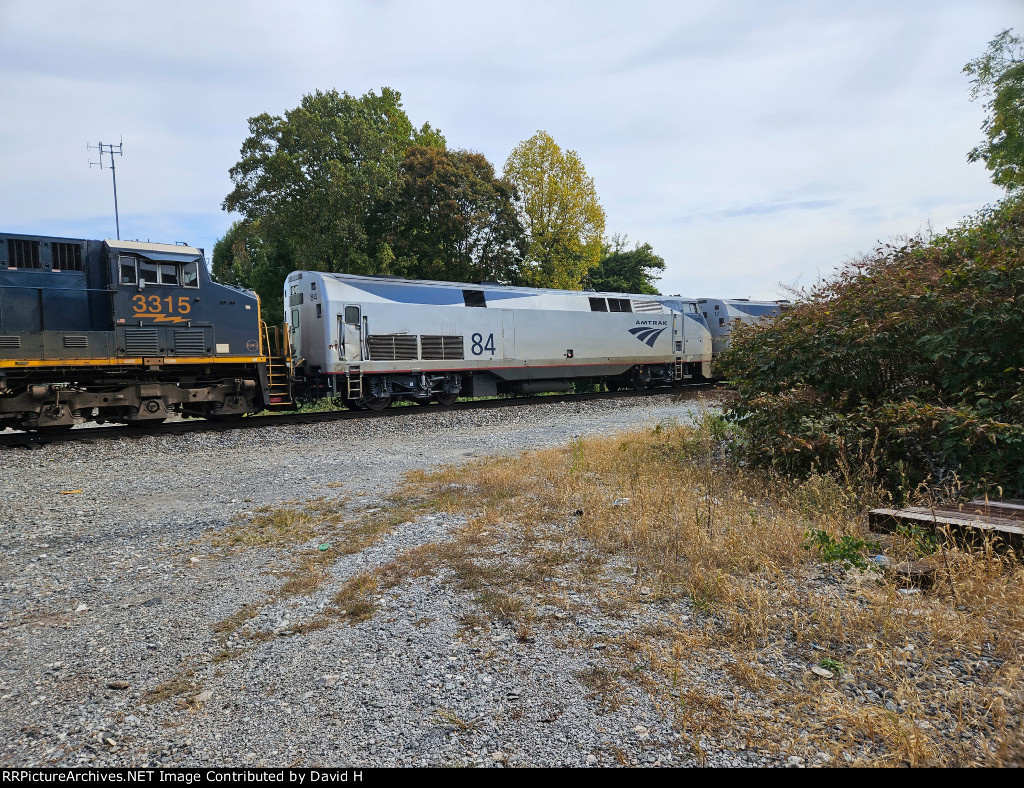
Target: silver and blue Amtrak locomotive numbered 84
column 372, row 340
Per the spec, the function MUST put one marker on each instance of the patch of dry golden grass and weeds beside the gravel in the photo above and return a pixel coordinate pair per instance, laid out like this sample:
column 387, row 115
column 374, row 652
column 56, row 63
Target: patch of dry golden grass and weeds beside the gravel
column 731, row 547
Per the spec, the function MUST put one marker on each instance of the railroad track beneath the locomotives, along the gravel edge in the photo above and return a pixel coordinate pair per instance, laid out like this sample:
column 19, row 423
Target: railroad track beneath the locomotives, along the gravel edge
column 93, row 434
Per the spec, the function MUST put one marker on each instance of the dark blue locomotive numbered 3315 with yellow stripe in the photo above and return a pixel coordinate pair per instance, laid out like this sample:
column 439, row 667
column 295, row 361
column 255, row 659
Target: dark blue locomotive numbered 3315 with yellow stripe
column 115, row 331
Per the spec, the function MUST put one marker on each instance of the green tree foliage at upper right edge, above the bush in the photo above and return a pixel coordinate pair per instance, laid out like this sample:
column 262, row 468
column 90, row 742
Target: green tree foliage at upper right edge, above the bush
column 999, row 76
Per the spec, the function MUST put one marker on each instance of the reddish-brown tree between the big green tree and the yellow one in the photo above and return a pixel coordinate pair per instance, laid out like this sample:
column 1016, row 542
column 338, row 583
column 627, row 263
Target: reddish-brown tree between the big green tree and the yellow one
column 455, row 220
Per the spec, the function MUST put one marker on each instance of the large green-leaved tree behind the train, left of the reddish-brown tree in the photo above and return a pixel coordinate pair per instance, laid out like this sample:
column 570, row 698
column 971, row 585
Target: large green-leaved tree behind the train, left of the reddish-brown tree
column 318, row 185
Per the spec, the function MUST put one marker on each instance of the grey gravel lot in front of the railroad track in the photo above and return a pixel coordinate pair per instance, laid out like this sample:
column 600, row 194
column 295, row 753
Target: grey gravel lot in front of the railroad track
column 107, row 591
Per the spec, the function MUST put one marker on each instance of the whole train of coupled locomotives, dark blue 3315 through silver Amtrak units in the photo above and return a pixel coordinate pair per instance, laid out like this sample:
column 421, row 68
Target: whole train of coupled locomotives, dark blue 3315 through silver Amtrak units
column 131, row 332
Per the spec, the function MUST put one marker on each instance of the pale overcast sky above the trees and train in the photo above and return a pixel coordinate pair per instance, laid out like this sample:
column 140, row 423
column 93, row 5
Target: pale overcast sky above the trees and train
column 752, row 144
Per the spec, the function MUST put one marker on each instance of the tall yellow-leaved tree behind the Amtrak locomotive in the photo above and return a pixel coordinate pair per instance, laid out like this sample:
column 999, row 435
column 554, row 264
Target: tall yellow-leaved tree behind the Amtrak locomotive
column 559, row 207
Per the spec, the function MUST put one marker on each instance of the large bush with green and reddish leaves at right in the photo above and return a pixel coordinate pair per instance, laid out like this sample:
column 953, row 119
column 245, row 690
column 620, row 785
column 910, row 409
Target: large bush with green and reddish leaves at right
column 906, row 369
